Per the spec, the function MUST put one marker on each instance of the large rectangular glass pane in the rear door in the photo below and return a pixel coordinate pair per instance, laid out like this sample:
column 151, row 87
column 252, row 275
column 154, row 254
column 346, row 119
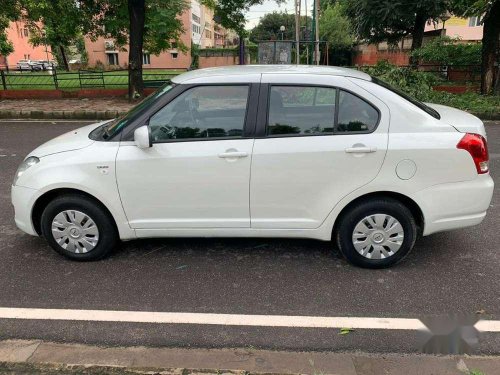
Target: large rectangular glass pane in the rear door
column 301, row 110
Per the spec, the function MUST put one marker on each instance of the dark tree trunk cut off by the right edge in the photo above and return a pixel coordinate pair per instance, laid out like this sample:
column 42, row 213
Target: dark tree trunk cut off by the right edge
column 491, row 32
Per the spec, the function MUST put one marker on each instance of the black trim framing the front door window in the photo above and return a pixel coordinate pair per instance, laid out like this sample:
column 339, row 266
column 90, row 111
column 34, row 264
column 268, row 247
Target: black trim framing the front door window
column 249, row 120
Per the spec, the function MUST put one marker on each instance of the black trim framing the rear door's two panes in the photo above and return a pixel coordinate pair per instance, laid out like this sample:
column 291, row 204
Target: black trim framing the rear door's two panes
column 264, row 105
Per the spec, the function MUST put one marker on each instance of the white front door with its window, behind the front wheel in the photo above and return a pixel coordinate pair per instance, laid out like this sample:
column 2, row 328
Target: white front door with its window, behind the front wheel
column 197, row 173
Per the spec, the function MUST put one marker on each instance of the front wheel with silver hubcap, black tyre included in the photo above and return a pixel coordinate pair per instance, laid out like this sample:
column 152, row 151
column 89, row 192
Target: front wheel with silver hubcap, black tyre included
column 78, row 228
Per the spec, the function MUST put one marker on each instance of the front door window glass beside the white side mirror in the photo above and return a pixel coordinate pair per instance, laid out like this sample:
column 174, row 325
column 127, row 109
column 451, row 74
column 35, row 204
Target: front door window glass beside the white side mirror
column 202, row 112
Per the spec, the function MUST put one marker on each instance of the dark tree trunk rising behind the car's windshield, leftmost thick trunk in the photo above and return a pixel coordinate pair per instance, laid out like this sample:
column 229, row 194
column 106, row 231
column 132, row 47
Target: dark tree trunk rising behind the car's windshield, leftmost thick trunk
column 137, row 13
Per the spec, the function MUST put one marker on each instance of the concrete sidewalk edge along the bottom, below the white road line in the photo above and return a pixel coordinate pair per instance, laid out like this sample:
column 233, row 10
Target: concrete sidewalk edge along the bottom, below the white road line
column 45, row 357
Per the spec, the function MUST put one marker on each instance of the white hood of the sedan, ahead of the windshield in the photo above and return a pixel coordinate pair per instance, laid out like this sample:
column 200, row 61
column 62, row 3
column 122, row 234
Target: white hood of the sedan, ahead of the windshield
column 73, row 140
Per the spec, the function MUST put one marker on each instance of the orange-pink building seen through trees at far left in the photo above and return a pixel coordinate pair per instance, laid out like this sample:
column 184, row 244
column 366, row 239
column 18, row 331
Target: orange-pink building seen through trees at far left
column 18, row 34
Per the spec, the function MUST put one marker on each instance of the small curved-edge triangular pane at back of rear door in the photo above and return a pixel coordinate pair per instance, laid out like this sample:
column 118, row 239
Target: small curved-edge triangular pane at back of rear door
column 355, row 115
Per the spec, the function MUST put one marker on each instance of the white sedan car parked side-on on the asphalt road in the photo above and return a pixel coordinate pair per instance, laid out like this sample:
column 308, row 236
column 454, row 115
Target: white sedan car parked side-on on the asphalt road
column 261, row 151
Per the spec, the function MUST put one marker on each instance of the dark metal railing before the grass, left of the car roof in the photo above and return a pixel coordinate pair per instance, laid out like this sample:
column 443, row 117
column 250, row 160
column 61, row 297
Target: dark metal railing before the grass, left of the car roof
column 81, row 79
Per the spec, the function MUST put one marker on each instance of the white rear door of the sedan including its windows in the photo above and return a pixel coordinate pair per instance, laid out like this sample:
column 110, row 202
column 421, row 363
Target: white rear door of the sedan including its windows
column 319, row 137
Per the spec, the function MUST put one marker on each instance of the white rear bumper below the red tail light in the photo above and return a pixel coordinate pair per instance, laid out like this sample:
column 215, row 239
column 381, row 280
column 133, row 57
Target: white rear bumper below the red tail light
column 455, row 205
